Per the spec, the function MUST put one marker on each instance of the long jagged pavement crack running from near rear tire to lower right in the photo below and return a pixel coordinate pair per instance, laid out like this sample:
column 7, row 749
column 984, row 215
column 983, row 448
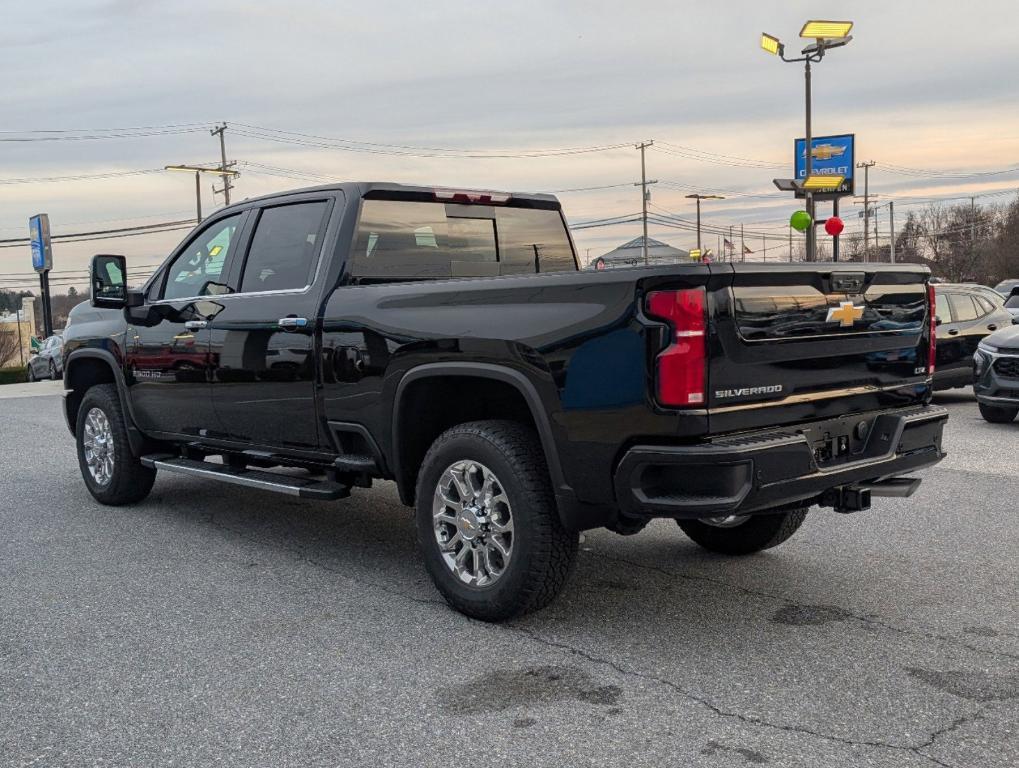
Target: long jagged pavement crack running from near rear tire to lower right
column 748, row 720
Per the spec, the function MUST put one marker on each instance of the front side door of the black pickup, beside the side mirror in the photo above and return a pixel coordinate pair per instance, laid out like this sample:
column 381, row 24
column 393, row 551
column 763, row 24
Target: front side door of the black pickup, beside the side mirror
column 169, row 363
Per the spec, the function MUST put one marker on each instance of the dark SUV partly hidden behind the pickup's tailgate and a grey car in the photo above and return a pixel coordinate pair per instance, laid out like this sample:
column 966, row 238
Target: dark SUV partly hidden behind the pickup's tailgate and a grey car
column 966, row 316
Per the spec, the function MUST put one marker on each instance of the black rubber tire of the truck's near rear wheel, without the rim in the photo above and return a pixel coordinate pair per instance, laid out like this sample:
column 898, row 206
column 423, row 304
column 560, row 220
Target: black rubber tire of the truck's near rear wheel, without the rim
column 543, row 552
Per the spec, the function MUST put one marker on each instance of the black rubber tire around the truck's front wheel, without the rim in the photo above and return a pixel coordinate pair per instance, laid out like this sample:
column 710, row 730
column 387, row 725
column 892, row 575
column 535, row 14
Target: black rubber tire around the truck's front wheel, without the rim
column 130, row 481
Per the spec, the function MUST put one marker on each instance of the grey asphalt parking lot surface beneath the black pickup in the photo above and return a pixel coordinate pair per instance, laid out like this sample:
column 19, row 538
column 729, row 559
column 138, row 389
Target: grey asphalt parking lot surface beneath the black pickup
column 218, row 626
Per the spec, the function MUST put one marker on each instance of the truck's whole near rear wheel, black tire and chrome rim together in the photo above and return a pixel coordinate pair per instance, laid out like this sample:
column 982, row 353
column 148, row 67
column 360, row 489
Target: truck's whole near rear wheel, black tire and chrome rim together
column 488, row 522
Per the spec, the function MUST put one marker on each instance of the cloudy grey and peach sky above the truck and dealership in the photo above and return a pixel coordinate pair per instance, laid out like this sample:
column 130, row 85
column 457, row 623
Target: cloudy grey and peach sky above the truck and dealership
column 926, row 86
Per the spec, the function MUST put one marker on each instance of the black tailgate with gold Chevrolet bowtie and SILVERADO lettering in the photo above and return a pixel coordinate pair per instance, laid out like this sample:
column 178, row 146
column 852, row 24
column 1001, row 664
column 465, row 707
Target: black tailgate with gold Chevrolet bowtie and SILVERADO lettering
column 795, row 343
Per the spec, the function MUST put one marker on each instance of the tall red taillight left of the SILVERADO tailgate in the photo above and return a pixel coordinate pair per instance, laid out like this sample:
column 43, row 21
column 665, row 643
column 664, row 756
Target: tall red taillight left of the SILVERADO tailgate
column 681, row 370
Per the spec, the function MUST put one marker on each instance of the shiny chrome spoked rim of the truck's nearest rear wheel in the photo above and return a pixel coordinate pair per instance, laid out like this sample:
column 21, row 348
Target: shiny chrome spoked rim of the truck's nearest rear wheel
column 473, row 523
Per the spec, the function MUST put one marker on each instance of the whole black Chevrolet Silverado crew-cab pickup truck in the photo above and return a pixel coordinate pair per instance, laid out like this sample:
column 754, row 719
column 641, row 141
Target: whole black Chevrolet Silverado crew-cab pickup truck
column 312, row 342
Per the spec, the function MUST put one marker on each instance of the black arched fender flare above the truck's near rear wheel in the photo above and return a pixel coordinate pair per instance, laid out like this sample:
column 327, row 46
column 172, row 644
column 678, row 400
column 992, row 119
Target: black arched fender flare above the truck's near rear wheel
column 504, row 374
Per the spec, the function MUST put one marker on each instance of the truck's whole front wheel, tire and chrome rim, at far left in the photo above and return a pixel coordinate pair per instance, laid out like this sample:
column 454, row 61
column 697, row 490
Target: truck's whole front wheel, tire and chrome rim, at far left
column 113, row 475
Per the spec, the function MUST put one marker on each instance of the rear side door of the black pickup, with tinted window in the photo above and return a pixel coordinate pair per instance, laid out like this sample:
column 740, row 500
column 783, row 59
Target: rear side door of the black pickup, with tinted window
column 263, row 341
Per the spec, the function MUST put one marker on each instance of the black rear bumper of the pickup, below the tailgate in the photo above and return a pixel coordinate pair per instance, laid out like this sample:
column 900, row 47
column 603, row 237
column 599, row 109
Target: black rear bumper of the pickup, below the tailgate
column 775, row 468
